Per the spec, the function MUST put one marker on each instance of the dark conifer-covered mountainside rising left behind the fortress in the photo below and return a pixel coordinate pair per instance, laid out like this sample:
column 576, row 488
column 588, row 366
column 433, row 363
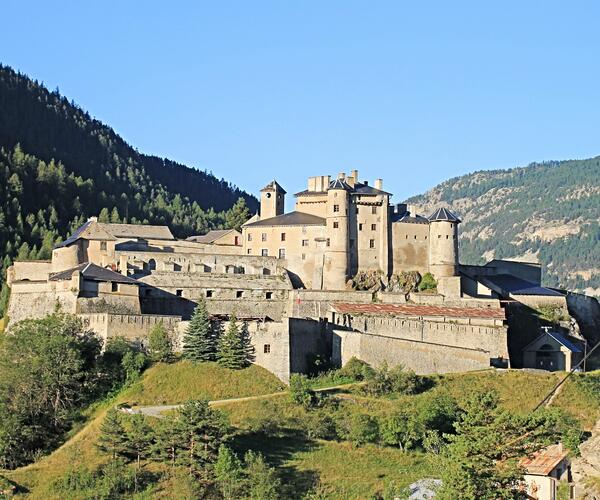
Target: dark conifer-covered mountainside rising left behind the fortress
column 59, row 166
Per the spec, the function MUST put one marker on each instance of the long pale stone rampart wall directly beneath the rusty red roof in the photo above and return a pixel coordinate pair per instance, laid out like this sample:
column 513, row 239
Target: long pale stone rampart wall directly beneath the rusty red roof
column 426, row 346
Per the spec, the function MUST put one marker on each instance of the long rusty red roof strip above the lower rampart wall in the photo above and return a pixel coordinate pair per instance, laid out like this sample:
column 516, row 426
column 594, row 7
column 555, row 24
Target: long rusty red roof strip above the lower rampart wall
column 419, row 310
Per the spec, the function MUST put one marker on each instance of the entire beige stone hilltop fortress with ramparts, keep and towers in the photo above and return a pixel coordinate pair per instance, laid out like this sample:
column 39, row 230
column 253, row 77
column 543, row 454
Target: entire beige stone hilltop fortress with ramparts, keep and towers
column 287, row 277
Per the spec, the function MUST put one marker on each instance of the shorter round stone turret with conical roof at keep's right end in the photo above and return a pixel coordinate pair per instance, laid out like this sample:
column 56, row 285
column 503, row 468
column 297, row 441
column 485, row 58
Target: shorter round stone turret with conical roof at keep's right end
column 443, row 243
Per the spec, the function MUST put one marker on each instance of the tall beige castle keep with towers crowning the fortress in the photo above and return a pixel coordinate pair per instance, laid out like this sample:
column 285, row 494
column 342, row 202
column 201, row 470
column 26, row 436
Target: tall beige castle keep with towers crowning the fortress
column 343, row 226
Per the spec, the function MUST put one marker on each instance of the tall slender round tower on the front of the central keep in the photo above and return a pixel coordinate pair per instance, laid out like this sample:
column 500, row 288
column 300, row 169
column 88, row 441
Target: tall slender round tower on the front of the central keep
column 335, row 269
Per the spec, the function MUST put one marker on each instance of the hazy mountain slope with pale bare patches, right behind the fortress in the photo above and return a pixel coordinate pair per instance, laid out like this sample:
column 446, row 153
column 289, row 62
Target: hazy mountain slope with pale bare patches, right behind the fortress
column 547, row 211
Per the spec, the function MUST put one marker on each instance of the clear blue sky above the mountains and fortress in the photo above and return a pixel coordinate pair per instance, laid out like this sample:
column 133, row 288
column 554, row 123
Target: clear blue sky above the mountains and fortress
column 414, row 92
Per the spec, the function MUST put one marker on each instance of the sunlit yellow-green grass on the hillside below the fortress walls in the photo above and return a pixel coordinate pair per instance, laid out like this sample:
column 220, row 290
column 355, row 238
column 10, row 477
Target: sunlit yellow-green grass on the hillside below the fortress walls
column 341, row 470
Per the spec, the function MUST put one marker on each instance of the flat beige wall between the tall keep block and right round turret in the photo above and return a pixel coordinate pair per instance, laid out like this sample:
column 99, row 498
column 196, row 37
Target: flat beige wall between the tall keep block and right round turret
column 410, row 247
